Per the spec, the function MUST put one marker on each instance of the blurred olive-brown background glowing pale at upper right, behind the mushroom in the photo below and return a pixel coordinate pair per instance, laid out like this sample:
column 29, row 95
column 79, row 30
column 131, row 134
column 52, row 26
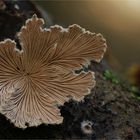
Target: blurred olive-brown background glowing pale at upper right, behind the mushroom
column 117, row 20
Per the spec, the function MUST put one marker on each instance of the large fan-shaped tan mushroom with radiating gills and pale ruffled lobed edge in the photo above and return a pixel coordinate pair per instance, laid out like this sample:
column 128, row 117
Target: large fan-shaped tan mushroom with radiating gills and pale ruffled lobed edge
column 40, row 76
